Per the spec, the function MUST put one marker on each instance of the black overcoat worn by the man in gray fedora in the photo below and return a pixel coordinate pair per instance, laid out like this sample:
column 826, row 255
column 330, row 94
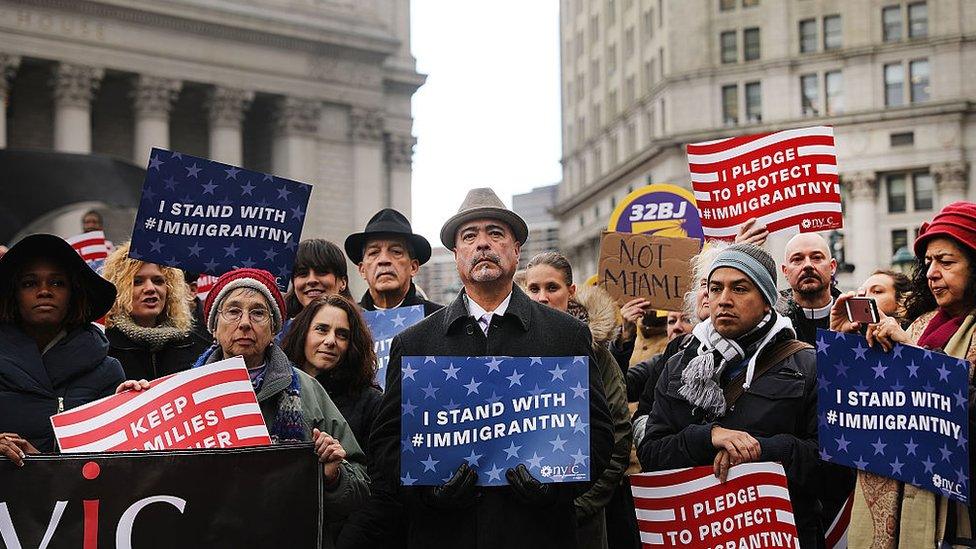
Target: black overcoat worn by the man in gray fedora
column 496, row 517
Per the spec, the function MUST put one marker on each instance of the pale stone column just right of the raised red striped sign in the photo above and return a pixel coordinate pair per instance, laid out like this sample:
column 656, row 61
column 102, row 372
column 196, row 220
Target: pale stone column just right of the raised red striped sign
column 860, row 232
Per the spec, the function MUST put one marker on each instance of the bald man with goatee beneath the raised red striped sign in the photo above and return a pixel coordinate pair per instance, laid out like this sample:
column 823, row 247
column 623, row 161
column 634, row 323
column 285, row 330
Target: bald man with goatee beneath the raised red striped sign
column 809, row 269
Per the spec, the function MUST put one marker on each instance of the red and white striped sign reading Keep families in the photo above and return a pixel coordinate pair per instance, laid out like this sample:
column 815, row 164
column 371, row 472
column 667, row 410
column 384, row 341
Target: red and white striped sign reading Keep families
column 212, row 406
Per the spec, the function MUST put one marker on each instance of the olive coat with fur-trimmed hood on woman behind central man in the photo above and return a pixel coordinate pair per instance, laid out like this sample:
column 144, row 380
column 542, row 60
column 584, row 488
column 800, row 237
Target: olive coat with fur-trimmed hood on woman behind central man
column 601, row 317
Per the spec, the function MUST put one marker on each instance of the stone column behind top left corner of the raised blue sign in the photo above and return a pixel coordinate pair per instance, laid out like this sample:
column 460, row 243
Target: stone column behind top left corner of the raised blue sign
column 152, row 101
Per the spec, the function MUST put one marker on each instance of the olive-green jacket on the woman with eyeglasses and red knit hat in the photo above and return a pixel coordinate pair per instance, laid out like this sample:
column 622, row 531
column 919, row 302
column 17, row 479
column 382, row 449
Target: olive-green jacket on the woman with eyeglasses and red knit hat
column 319, row 412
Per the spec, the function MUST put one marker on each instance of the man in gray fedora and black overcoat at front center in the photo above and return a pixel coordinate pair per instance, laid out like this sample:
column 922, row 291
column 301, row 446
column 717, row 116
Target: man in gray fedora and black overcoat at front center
column 490, row 317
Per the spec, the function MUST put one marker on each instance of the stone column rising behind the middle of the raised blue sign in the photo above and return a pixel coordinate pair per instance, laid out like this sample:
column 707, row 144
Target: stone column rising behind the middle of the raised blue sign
column 225, row 109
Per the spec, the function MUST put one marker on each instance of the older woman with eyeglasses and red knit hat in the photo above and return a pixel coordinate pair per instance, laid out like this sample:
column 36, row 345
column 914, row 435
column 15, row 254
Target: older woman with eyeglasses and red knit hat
column 244, row 311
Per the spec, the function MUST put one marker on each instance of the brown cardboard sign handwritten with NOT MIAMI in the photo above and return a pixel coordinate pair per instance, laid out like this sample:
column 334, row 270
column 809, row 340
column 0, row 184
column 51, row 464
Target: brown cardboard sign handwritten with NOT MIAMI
column 655, row 268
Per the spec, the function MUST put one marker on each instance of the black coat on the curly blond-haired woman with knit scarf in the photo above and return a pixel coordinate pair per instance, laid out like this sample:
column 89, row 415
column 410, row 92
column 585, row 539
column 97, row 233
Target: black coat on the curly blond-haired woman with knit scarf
column 141, row 362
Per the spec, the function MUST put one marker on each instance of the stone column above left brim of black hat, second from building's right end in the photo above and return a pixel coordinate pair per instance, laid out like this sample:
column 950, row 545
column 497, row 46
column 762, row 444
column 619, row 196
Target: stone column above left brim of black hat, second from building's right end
column 366, row 134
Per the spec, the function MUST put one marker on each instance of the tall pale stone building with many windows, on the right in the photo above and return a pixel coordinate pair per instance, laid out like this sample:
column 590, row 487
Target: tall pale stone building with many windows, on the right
column 642, row 78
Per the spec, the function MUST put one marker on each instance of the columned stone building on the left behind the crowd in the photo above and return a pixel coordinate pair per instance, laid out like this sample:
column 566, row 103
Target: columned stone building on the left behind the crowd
column 313, row 90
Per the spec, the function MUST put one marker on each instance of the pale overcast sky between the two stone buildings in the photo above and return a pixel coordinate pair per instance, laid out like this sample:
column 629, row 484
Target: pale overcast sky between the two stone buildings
column 488, row 115
